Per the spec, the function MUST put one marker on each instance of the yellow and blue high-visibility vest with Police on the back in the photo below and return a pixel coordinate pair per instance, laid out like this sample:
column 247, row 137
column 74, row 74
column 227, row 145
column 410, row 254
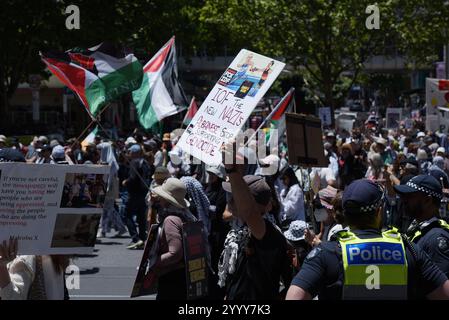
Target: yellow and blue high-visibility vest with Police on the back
column 374, row 268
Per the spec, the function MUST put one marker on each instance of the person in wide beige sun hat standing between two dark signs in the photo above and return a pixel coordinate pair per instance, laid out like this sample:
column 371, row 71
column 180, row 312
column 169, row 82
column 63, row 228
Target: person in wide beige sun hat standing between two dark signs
column 173, row 213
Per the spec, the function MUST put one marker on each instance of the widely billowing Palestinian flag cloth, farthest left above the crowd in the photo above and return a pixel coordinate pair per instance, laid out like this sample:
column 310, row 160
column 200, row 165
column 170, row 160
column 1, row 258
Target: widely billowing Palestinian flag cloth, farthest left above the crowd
column 97, row 75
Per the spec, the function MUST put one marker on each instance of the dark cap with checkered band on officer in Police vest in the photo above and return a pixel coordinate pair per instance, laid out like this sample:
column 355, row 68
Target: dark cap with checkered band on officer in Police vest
column 362, row 196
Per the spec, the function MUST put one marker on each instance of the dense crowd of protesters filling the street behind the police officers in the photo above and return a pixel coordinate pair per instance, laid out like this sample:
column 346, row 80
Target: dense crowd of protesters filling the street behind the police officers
column 260, row 224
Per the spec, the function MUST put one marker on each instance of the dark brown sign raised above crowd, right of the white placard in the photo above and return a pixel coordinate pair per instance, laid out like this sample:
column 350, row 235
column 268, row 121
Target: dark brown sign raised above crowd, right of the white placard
column 304, row 141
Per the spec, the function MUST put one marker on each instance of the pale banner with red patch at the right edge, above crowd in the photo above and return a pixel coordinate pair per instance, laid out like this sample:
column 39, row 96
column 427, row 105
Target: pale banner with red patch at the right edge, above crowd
column 437, row 95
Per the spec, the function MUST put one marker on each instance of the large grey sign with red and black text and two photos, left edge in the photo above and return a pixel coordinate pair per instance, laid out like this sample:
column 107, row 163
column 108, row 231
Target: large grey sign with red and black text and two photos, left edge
column 51, row 209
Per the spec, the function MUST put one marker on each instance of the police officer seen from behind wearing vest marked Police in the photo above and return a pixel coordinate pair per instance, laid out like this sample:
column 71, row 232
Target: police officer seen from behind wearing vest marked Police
column 365, row 263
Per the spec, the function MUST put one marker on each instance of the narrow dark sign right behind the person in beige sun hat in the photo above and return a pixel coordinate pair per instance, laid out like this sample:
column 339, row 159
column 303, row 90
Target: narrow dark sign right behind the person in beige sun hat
column 195, row 260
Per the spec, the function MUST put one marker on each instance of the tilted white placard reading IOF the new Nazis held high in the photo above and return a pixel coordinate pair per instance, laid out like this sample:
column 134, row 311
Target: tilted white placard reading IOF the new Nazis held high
column 228, row 105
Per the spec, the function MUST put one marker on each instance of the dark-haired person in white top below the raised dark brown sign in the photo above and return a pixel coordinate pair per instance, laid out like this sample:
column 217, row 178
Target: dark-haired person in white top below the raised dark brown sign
column 291, row 198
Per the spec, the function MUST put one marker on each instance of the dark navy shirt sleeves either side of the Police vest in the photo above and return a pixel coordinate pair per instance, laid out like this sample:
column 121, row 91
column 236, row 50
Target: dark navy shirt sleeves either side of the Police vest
column 322, row 272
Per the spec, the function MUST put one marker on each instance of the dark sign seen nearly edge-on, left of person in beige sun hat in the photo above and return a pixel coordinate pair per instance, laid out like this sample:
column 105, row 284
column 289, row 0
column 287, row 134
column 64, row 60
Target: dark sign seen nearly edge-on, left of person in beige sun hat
column 146, row 279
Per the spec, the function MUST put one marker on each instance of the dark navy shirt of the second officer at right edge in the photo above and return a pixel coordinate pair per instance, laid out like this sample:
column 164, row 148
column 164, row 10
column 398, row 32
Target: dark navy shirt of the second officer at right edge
column 435, row 243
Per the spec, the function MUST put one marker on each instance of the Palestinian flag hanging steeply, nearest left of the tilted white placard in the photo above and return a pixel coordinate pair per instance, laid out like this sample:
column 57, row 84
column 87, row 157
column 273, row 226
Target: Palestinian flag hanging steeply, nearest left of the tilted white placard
column 160, row 94
